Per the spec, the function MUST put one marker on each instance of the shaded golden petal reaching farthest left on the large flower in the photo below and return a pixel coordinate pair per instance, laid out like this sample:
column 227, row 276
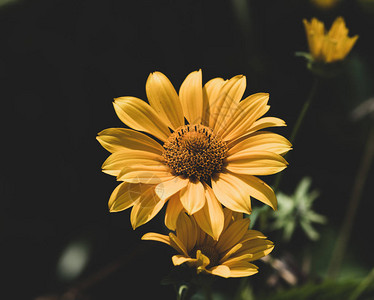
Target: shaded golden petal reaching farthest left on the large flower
column 120, row 139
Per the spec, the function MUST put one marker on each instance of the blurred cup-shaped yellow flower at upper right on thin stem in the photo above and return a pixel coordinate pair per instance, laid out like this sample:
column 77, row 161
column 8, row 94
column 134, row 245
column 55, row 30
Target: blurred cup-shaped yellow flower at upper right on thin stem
column 328, row 47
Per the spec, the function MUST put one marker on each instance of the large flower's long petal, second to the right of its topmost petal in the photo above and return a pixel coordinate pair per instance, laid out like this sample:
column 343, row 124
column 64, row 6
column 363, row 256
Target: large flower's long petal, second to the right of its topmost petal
column 228, row 102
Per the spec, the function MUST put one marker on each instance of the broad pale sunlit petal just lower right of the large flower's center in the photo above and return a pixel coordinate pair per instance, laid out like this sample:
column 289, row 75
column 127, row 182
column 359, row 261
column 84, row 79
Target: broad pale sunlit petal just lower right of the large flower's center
column 230, row 194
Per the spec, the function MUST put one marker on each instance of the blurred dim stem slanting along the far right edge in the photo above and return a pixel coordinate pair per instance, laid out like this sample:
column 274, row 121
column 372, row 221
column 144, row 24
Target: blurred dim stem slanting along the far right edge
column 345, row 231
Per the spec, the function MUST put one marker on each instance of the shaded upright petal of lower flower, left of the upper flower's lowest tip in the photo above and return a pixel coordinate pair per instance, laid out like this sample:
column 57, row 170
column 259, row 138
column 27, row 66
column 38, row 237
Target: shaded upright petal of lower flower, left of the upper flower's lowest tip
column 186, row 231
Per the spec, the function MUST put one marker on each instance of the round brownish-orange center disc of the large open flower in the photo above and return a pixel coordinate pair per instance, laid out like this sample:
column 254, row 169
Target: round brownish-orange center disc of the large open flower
column 194, row 151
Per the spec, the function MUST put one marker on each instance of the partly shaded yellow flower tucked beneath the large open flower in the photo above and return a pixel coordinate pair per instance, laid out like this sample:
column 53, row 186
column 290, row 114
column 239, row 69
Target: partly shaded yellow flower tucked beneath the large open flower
column 229, row 256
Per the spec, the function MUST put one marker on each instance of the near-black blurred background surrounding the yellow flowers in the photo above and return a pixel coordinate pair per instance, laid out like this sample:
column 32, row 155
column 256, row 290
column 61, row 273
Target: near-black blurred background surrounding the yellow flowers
column 62, row 63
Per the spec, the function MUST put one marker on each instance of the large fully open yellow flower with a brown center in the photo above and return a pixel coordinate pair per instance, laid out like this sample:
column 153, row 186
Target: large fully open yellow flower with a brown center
column 204, row 151
